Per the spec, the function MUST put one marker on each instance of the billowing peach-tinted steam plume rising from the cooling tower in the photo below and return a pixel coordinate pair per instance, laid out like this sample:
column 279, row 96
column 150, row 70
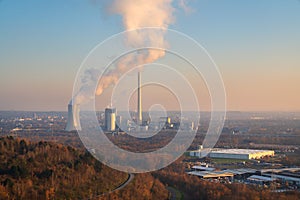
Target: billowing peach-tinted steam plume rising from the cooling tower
column 135, row 14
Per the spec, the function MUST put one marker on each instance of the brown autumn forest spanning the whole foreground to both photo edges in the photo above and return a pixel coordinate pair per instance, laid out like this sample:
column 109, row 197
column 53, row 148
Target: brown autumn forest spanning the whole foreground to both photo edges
column 47, row 170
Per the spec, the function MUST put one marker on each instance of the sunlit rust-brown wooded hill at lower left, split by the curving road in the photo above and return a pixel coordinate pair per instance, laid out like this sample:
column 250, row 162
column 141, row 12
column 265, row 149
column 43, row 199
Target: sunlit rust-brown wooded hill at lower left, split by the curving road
column 46, row 170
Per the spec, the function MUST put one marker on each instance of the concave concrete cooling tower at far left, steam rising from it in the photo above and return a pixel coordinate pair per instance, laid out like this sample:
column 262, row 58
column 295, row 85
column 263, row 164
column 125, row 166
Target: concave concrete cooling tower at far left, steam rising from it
column 73, row 117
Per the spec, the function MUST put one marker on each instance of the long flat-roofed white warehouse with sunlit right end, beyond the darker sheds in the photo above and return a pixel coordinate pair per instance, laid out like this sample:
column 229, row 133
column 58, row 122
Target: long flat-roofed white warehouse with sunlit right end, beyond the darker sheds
column 245, row 154
